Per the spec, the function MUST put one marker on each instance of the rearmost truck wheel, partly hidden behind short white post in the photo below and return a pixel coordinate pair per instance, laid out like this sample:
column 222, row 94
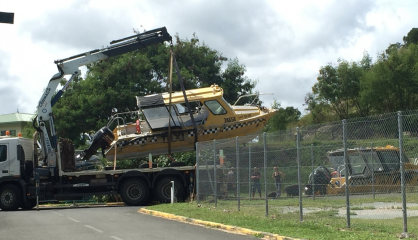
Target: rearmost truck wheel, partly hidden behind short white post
column 163, row 190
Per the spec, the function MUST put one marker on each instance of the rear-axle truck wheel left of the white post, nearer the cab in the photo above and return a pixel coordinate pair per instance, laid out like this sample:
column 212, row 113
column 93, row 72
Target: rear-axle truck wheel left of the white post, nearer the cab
column 134, row 192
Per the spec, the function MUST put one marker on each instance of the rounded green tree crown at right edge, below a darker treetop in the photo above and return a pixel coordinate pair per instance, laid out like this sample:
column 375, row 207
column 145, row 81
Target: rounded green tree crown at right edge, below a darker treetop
column 392, row 84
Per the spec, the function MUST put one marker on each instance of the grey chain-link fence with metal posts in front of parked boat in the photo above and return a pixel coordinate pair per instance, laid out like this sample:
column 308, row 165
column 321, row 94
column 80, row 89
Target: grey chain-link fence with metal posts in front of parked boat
column 361, row 168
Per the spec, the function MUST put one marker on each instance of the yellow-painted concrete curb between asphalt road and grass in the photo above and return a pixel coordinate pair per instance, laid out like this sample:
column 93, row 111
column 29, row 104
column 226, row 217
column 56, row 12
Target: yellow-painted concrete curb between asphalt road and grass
column 245, row 231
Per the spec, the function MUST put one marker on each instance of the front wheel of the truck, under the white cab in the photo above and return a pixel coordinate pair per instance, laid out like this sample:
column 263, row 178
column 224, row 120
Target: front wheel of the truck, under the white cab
column 10, row 197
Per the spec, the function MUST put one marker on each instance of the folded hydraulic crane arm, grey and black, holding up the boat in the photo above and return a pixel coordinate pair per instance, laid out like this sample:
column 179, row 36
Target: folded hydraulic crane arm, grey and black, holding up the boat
column 70, row 66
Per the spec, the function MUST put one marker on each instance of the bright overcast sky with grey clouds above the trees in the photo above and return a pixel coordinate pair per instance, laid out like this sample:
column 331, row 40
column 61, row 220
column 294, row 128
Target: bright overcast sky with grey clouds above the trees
column 282, row 43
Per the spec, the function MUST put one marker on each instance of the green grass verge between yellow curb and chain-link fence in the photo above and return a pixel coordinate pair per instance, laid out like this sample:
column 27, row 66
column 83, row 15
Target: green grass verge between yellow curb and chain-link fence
column 323, row 223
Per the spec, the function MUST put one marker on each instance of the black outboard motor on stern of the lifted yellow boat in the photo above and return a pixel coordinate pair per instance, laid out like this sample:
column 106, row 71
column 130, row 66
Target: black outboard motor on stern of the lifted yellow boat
column 101, row 139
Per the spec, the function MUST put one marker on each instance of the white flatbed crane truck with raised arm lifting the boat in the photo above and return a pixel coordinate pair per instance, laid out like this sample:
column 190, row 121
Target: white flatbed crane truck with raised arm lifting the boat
column 32, row 169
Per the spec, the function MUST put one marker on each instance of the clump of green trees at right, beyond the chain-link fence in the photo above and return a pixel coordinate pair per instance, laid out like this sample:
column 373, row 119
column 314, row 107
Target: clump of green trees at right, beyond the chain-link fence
column 358, row 89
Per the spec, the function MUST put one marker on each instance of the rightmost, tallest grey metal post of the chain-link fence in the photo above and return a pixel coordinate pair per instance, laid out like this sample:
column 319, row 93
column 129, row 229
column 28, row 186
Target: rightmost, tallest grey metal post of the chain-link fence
column 401, row 162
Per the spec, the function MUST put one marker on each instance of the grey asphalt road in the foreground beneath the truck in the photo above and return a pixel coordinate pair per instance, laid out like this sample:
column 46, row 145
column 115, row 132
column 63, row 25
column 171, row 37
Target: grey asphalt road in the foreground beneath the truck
column 117, row 223
